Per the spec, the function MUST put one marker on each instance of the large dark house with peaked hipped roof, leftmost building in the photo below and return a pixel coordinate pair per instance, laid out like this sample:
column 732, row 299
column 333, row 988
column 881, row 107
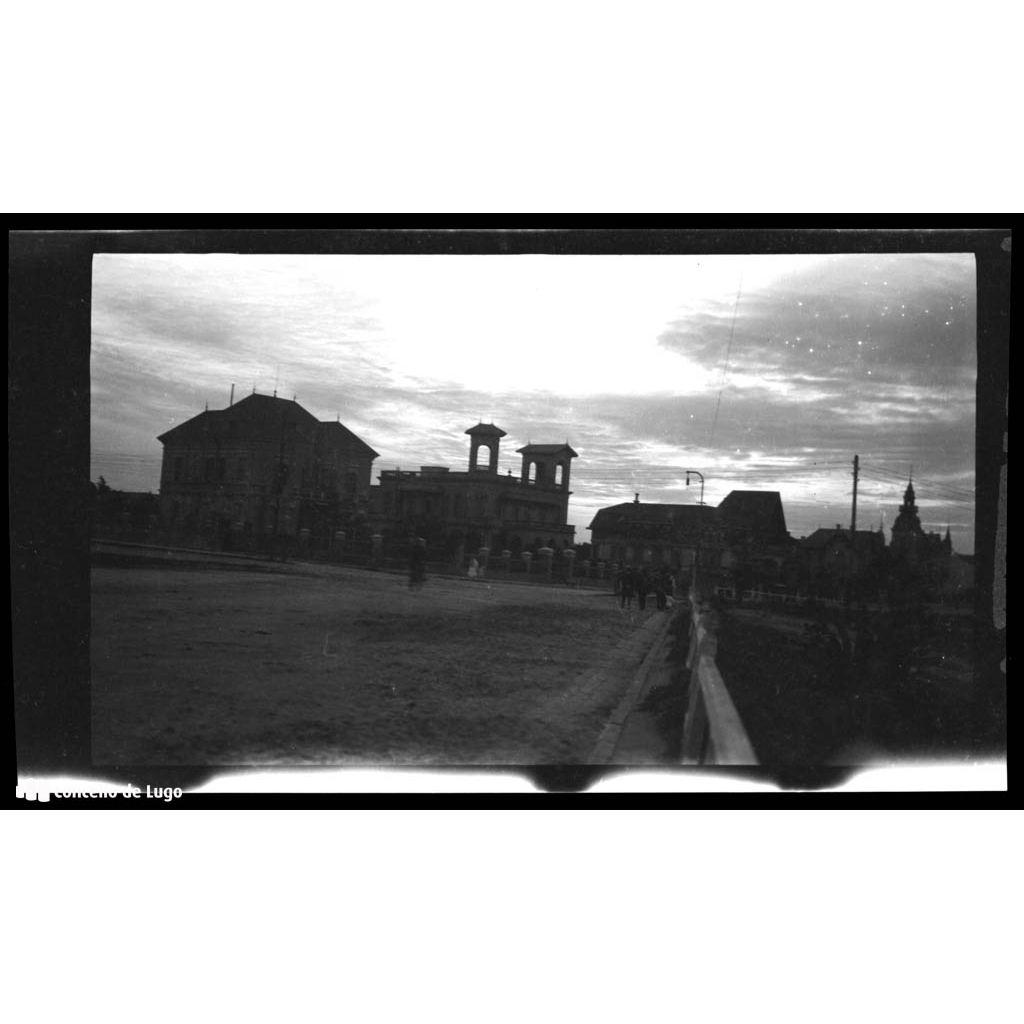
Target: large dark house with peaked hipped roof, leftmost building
column 265, row 466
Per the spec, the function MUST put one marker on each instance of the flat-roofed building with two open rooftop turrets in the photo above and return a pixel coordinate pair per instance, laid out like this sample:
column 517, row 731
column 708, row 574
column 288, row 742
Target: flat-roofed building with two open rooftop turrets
column 481, row 507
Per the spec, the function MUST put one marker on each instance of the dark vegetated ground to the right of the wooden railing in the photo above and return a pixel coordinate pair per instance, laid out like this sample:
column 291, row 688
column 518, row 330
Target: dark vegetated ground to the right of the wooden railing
column 901, row 687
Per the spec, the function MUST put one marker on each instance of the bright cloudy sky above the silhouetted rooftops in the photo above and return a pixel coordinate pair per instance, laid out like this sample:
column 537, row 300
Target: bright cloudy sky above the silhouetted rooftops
column 760, row 372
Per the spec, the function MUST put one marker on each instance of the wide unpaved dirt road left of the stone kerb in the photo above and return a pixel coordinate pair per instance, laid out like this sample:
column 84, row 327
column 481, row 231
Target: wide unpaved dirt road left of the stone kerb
column 322, row 665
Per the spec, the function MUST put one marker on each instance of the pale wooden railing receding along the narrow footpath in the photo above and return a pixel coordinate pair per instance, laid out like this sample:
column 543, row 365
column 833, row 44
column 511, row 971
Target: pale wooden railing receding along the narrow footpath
column 713, row 732
